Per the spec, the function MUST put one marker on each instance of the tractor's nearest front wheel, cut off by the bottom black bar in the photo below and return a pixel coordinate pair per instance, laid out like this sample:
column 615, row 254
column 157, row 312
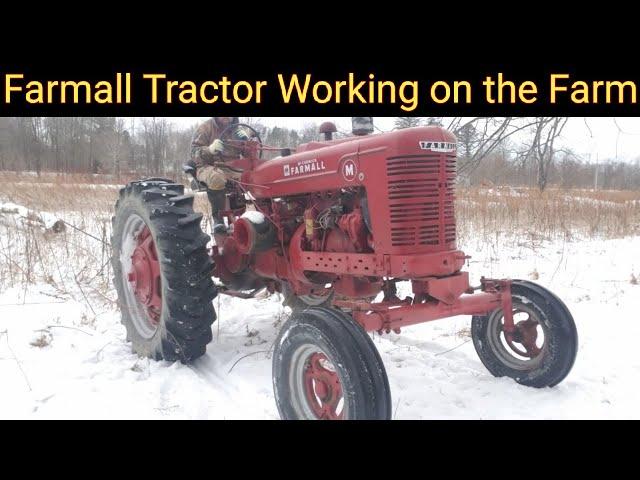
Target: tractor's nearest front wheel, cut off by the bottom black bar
column 326, row 367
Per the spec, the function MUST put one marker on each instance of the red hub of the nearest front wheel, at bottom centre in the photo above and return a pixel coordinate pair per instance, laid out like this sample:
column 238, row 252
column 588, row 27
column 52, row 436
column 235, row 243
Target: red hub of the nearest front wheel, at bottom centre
column 323, row 388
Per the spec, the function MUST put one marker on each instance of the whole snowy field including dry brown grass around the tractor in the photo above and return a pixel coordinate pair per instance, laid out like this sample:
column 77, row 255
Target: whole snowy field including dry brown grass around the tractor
column 63, row 352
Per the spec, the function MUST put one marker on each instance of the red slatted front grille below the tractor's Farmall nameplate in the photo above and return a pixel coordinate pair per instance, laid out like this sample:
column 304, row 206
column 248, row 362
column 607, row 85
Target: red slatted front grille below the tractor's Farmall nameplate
column 421, row 199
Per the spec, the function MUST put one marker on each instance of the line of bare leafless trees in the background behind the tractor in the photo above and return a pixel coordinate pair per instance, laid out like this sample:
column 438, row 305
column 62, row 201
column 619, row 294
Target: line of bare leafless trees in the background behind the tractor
column 493, row 151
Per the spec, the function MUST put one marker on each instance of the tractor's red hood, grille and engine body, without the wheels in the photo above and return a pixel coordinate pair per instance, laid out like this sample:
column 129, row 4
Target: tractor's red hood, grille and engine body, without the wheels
column 348, row 216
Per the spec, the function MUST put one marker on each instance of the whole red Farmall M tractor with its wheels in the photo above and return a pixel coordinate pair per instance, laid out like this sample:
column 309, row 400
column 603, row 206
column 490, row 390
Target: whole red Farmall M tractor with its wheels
column 334, row 227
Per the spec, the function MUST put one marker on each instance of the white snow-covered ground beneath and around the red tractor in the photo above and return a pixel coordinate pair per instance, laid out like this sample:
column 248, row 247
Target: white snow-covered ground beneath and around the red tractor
column 65, row 355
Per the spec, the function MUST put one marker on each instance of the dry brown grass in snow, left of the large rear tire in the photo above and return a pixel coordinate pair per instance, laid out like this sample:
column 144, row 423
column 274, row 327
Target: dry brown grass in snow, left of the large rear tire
column 74, row 264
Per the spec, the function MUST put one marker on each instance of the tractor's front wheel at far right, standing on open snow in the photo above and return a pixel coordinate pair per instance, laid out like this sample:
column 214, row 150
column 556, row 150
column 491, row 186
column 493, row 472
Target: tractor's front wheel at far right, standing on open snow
column 542, row 350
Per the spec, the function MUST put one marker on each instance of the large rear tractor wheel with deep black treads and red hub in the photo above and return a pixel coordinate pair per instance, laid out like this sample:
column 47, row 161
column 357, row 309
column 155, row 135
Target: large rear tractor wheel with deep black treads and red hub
column 162, row 271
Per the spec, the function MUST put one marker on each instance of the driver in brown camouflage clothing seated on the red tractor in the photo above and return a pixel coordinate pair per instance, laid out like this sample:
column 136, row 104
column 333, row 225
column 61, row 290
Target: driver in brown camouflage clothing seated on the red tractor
column 210, row 155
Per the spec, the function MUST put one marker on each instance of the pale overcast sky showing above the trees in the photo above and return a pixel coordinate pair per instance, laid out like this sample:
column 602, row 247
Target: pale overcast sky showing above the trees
column 608, row 141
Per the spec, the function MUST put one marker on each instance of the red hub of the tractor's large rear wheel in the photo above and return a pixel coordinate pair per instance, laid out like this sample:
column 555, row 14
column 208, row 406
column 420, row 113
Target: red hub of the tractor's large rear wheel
column 144, row 276
